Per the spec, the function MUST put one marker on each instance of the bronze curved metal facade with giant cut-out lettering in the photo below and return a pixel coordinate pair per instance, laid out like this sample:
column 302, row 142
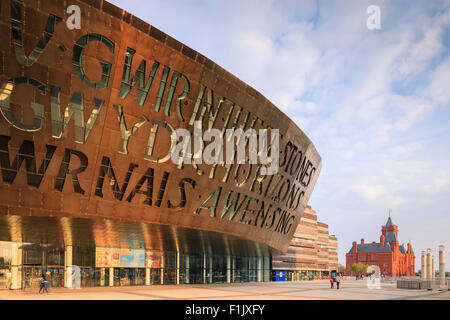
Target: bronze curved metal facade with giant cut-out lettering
column 85, row 129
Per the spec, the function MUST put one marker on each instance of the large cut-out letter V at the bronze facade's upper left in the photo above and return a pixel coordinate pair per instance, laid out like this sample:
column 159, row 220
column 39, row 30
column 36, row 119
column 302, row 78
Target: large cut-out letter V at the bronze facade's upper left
column 16, row 28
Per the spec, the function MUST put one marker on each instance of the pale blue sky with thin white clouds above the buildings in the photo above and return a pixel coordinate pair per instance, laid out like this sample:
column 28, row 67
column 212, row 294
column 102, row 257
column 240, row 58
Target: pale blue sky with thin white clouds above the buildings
column 376, row 103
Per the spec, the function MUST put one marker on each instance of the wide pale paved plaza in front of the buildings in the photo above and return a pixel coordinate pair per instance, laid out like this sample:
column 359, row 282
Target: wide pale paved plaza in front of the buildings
column 314, row 290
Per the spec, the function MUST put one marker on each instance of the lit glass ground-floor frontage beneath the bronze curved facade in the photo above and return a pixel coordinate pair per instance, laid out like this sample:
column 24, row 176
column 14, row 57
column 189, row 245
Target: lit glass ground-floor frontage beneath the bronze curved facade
column 124, row 267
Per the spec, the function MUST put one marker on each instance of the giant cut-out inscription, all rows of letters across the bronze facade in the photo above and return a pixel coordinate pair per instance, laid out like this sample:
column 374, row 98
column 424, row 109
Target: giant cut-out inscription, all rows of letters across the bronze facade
column 279, row 187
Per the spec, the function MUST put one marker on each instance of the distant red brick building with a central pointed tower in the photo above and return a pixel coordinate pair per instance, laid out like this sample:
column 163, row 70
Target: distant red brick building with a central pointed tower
column 393, row 259
